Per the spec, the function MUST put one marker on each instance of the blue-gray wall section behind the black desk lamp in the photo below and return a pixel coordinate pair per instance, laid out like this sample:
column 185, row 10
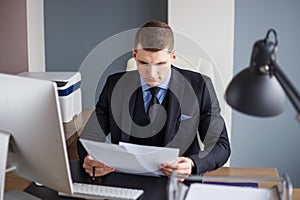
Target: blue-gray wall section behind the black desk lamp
column 268, row 142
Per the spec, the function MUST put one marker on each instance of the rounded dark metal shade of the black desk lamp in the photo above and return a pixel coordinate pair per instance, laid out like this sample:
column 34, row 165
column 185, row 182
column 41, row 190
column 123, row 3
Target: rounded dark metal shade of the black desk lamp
column 255, row 94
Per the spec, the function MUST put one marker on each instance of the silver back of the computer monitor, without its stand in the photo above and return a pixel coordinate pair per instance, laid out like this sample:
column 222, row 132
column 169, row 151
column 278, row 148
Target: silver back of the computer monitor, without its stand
column 30, row 112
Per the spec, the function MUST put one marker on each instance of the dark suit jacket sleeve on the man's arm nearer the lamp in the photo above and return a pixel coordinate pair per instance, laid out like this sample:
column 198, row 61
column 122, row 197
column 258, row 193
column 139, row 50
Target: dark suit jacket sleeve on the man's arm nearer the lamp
column 212, row 132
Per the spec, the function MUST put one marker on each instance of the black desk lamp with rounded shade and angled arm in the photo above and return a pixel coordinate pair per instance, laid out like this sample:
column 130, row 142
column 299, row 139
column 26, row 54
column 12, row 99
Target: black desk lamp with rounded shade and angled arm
column 259, row 89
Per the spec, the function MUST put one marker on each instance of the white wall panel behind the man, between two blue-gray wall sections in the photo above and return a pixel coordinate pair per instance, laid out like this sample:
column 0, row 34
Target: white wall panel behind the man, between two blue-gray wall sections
column 210, row 25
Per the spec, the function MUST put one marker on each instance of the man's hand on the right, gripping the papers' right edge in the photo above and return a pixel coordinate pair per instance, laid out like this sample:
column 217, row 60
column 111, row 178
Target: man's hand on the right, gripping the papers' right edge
column 183, row 167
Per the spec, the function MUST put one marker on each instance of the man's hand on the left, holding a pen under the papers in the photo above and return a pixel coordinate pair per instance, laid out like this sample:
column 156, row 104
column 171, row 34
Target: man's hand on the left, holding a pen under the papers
column 100, row 168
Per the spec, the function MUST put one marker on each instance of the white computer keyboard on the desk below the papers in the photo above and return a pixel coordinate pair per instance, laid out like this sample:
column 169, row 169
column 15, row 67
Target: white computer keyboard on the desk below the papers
column 89, row 191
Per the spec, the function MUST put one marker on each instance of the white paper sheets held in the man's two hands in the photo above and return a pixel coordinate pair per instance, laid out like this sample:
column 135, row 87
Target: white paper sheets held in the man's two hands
column 131, row 158
